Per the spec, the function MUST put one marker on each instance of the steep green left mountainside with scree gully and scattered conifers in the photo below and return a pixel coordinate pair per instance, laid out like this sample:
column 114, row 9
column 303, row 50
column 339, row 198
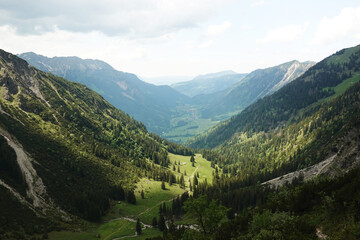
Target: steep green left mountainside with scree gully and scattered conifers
column 65, row 151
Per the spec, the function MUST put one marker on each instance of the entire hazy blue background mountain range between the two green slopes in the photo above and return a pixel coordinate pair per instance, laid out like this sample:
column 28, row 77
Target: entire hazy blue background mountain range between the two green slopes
column 163, row 110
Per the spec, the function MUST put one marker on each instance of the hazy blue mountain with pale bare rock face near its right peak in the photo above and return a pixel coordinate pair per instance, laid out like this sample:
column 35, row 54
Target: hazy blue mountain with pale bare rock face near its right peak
column 207, row 110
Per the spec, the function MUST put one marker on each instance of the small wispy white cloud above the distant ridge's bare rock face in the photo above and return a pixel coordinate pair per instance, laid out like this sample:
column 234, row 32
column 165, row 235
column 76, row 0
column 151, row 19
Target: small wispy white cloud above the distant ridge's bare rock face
column 287, row 33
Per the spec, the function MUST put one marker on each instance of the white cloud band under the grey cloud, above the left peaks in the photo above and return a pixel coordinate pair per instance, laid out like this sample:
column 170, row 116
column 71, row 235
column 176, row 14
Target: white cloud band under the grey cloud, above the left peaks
column 65, row 43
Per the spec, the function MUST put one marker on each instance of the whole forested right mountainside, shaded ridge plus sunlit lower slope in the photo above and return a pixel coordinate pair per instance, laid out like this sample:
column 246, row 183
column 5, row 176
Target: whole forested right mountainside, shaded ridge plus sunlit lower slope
column 301, row 124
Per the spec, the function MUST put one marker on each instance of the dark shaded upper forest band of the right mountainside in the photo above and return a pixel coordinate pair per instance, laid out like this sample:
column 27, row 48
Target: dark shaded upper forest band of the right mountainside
column 291, row 103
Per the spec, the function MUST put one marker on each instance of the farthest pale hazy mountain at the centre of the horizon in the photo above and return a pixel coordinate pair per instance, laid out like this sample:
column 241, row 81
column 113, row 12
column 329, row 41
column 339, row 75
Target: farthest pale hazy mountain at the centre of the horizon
column 208, row 83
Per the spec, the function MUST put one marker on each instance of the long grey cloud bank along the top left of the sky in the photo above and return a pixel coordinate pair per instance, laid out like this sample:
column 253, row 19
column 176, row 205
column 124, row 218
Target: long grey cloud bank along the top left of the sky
column 135, row 18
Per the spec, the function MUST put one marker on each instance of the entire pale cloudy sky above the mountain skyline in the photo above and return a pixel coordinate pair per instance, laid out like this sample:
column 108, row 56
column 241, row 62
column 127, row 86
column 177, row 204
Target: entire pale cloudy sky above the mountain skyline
column 157, row 38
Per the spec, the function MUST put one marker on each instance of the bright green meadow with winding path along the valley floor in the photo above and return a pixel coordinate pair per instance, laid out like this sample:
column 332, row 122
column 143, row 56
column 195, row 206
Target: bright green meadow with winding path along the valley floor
column 145, row 209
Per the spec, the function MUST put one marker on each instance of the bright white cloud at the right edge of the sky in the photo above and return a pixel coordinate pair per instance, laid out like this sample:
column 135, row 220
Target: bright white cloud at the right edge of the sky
column 347, row 23
